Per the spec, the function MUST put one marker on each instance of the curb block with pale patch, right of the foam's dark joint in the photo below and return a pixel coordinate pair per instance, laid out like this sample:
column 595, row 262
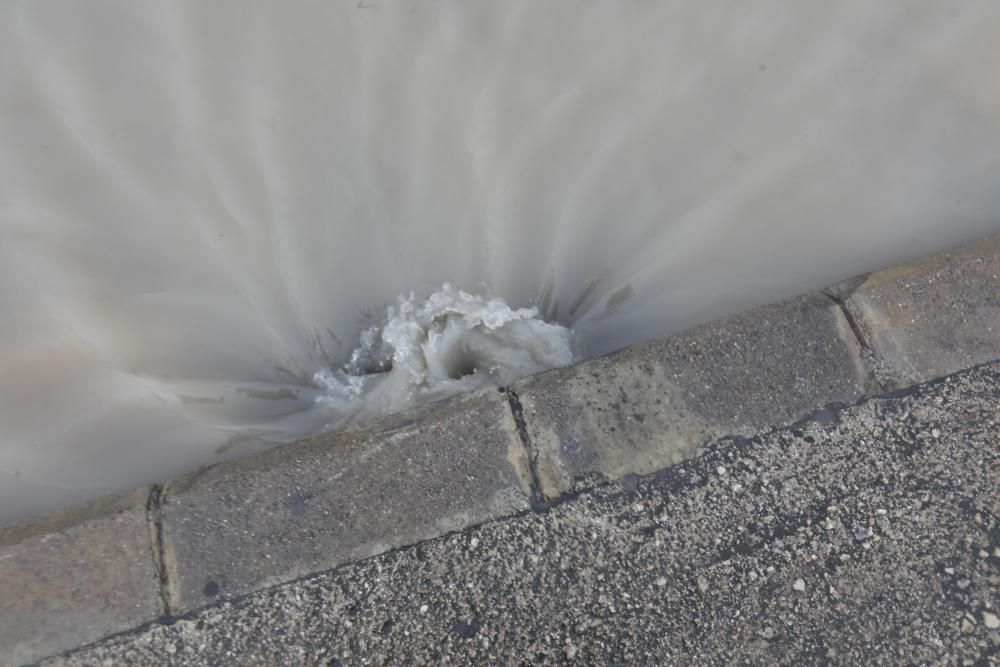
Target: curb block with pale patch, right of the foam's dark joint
column 654, row 405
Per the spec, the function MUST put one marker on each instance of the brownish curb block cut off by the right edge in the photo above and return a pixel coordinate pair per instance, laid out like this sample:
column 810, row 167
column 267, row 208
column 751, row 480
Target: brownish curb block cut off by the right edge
column 933, row 316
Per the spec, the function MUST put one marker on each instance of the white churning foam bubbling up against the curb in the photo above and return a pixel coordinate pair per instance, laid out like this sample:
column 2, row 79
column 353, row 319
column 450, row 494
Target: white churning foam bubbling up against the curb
column 449, row 343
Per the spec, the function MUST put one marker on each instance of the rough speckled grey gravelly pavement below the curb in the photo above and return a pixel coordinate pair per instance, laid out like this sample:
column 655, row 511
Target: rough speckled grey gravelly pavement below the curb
column 869, row 535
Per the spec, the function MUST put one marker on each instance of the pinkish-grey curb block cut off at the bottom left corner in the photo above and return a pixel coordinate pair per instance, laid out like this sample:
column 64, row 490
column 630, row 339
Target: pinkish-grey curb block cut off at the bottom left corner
column 71, row 578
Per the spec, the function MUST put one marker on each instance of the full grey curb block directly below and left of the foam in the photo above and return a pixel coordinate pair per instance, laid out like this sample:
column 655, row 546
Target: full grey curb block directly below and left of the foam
column 333, row 498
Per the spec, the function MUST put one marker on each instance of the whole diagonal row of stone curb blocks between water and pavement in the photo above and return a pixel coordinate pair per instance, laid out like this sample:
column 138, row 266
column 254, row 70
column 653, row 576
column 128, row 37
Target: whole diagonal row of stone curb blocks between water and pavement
column 308, row 507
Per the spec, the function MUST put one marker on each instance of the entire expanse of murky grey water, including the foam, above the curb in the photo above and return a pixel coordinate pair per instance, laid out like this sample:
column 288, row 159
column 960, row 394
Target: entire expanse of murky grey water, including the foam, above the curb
column 206, row 209
